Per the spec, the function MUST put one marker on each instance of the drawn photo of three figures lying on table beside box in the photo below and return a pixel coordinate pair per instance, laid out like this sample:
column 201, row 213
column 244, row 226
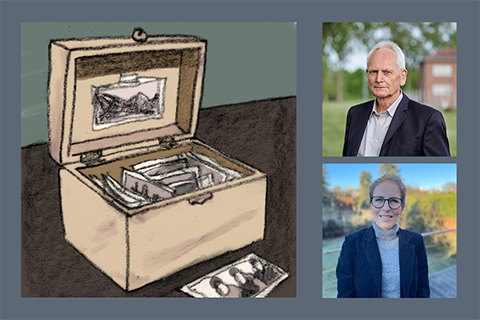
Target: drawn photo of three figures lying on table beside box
column 250, row 277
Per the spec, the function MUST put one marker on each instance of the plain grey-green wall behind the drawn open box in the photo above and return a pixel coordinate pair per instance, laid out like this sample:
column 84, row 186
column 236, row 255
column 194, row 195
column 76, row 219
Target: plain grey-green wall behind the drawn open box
column 245, row 62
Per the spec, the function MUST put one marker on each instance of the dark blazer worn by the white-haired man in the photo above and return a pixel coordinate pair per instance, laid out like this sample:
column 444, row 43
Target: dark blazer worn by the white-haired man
column 415, row 130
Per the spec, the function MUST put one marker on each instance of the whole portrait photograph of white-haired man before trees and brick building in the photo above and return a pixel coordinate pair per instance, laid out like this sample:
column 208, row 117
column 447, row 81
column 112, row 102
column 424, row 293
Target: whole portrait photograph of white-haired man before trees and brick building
column 389, row 89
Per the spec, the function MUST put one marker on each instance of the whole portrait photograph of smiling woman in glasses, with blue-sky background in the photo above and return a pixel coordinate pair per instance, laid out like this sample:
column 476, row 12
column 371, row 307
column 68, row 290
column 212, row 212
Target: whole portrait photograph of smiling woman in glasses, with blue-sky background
column 389, row 230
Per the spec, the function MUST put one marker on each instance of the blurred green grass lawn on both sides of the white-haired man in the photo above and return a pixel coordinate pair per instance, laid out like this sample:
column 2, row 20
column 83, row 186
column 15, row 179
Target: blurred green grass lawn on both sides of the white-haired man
column 334, row 119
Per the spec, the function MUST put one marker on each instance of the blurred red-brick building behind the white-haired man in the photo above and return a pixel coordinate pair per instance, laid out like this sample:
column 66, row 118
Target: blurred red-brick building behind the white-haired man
column 438, row 79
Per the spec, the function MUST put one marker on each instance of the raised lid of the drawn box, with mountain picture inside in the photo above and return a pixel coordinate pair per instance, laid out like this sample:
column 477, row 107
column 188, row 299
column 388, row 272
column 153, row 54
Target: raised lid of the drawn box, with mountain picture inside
column 112, row 95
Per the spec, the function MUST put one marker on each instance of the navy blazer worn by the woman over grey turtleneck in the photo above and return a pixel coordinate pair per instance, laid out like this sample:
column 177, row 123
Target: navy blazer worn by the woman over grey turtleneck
column 359, row 268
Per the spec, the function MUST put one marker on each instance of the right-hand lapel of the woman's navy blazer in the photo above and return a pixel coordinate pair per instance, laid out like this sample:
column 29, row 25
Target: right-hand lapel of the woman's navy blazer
column 407, row 258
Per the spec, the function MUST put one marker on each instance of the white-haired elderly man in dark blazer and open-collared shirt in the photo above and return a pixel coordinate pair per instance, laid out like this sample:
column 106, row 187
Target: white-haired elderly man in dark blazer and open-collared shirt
column 392, row 124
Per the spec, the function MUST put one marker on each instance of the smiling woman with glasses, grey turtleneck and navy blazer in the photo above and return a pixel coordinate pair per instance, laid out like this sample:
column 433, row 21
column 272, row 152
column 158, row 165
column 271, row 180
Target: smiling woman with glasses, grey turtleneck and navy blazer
column 384, row 261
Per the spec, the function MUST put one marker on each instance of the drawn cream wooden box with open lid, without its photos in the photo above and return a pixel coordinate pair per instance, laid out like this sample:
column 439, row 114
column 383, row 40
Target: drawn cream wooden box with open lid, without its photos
column 136, row 246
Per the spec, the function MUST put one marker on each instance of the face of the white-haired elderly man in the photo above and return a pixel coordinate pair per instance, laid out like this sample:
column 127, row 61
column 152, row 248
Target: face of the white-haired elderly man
column 384, row 75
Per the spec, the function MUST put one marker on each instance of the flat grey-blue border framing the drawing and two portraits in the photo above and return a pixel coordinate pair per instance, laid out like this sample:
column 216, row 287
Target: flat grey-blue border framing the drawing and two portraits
column 309, row 15
